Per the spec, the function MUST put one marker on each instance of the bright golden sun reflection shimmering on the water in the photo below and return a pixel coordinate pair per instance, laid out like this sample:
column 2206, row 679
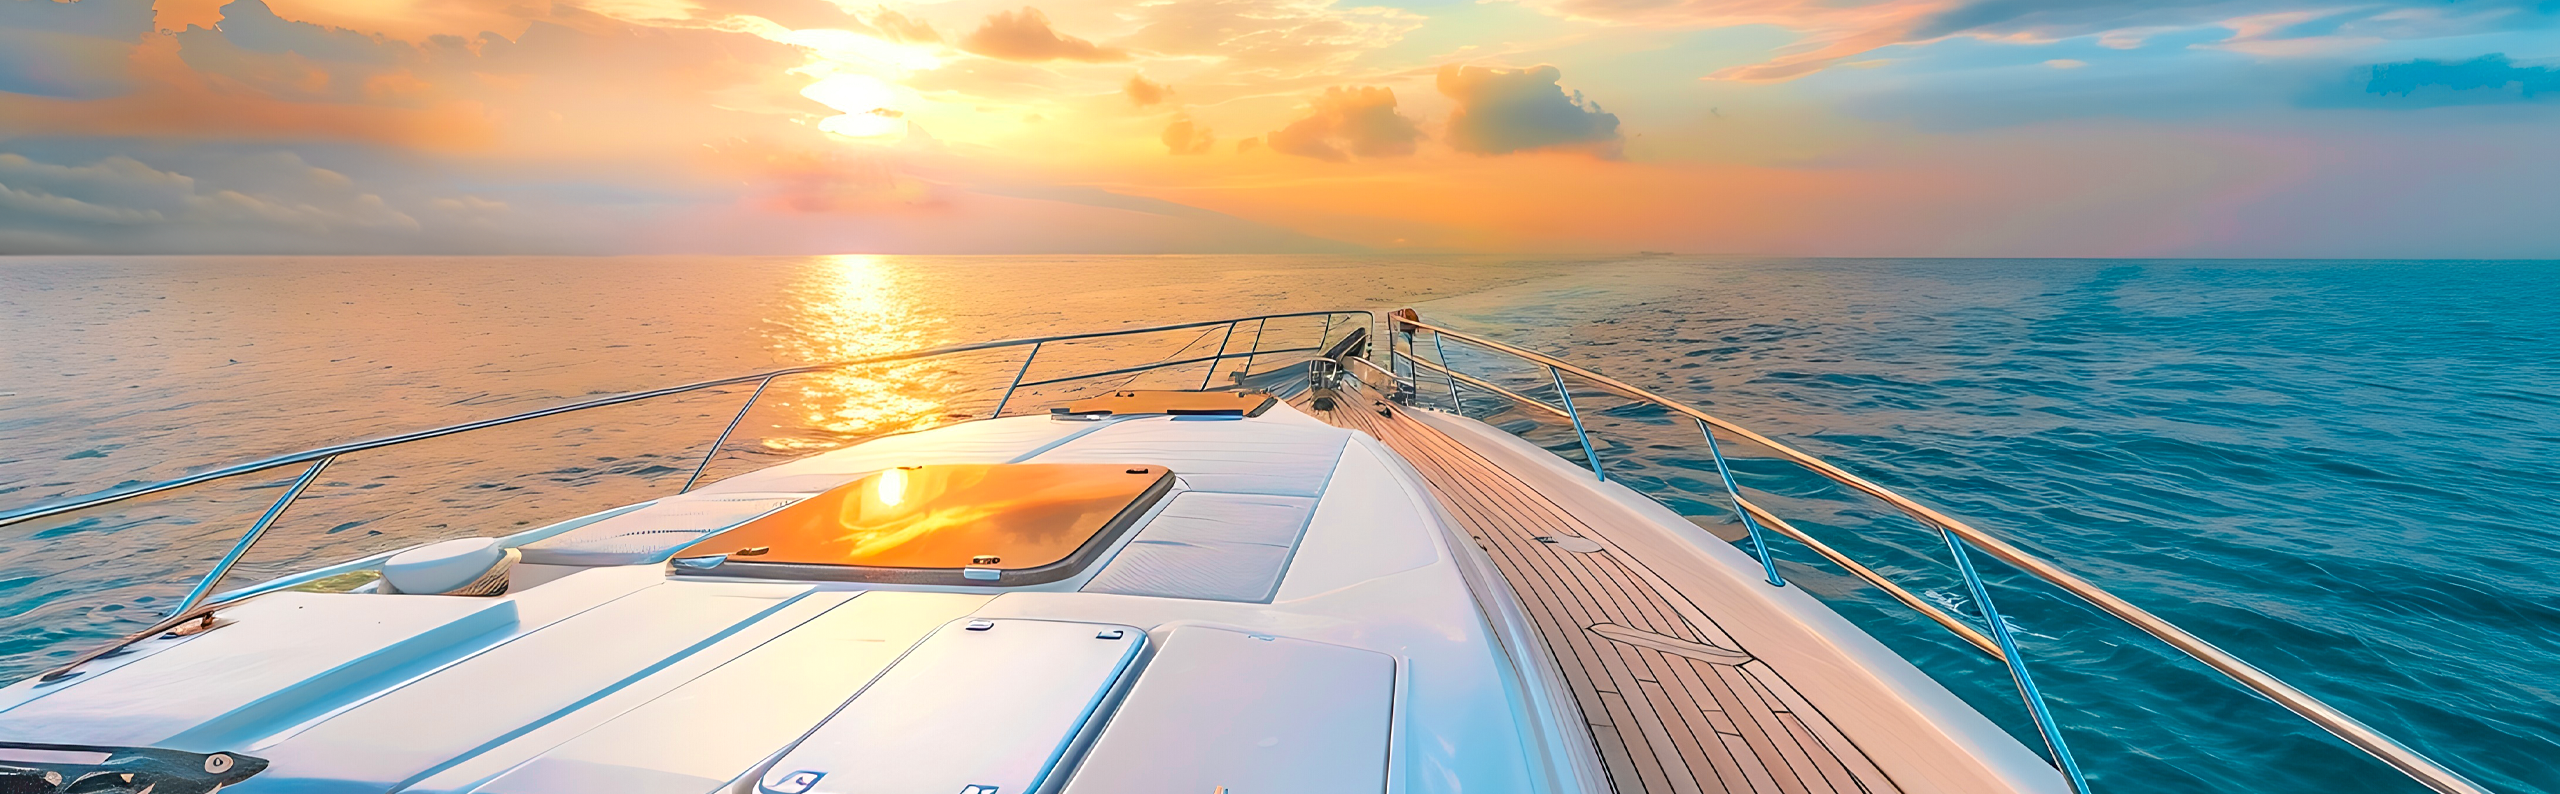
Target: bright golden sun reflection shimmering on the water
column 851, row 309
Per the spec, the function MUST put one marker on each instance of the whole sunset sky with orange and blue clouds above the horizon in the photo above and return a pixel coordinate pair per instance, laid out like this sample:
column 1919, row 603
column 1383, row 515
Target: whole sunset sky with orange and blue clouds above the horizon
column 1204, row 127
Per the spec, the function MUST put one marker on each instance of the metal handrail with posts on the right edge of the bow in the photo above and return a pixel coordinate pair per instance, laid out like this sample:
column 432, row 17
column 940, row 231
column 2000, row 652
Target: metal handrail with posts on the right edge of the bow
column 1962, row 537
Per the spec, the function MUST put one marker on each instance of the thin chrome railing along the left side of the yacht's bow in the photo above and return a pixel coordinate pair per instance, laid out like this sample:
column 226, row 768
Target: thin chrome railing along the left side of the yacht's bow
column 201, row 601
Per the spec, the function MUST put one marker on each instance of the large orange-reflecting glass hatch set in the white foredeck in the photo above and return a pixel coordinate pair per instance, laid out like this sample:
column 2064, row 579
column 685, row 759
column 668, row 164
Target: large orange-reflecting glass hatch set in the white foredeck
column 964, row 516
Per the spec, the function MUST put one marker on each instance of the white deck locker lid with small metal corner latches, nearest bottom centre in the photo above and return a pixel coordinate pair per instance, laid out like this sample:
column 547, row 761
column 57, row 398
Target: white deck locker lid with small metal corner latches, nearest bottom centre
column 982, row 706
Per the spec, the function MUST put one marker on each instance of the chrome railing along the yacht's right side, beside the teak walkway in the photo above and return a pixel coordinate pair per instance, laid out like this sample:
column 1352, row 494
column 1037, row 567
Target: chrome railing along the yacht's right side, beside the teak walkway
column 1960, row 537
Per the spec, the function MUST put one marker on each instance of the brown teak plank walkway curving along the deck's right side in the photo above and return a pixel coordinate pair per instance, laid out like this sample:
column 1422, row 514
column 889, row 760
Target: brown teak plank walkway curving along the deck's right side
column 1670, row 701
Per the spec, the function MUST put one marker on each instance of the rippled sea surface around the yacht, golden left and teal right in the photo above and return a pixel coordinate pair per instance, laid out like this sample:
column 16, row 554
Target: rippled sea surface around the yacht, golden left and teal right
column 2336, row 470
